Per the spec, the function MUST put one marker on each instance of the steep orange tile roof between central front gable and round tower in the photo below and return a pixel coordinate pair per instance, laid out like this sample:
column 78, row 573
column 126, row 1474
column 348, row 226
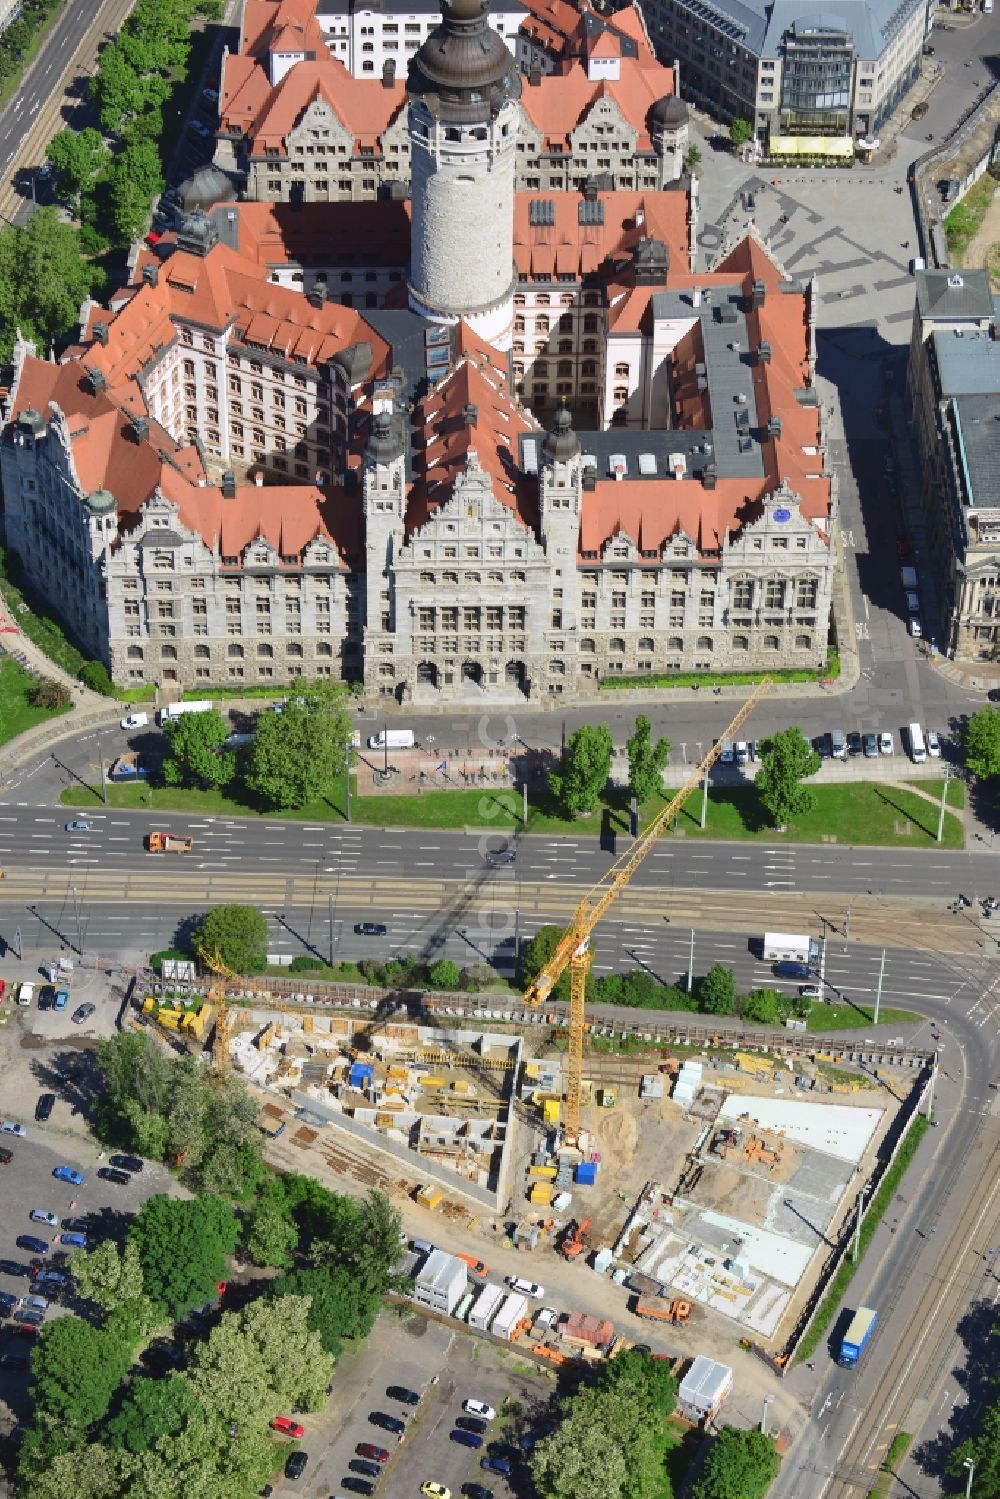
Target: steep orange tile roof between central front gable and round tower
column 446, row 441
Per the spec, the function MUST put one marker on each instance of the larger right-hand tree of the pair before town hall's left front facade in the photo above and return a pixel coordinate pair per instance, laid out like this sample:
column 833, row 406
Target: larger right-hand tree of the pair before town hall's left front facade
column 298, row 753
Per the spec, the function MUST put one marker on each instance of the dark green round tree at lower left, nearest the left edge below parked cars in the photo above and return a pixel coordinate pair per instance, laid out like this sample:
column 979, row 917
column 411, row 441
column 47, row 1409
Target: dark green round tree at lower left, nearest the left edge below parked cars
column 76, row 1372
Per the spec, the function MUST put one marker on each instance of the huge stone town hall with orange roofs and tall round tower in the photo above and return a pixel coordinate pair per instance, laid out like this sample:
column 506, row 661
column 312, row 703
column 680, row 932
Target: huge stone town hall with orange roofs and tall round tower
column 539, row 452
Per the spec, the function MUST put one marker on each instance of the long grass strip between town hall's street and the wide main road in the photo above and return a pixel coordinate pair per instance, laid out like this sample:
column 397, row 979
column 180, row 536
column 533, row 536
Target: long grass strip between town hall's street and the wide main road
column 855, row 813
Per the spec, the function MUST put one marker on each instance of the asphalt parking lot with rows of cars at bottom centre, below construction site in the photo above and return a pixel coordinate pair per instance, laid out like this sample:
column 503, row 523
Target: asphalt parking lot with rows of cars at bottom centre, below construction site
column 445, row 1366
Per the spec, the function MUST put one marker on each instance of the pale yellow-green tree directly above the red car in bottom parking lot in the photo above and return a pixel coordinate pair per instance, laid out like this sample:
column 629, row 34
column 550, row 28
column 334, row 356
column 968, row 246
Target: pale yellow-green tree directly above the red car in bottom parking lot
column 260, row 1360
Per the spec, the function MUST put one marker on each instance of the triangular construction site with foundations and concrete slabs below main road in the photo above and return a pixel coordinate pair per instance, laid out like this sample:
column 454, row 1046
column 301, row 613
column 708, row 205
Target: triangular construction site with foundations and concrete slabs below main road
column 705, row 1183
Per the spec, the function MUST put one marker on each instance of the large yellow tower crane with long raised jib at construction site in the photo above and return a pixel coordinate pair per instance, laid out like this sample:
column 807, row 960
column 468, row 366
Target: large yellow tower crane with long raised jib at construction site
column 575, row 948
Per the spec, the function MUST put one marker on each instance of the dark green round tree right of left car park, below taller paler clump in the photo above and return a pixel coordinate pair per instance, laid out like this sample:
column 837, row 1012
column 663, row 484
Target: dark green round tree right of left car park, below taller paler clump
column 184, row 1248
